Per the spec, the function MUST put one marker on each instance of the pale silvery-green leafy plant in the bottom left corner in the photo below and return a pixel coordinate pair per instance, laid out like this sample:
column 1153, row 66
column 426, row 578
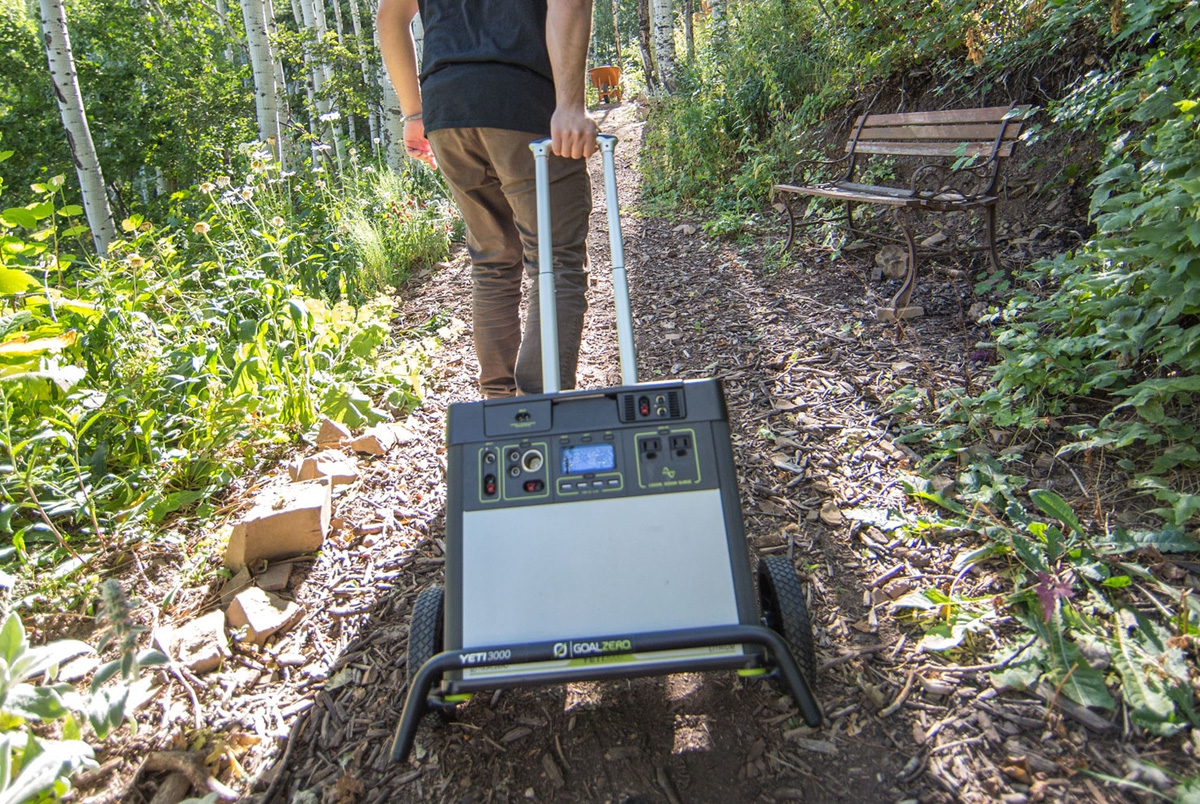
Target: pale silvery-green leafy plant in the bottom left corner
column 33, row 767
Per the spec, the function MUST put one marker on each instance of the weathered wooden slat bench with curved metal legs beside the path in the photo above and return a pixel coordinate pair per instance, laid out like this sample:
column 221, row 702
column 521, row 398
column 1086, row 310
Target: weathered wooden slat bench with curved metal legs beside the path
column 970, row 148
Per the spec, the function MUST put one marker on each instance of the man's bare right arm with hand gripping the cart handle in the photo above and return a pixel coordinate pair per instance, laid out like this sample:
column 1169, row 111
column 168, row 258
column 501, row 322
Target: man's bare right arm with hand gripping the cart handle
column 568, row 28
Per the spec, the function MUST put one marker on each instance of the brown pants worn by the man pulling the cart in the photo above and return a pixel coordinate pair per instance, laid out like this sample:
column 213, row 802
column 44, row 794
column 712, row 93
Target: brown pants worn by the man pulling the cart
column 491, row 175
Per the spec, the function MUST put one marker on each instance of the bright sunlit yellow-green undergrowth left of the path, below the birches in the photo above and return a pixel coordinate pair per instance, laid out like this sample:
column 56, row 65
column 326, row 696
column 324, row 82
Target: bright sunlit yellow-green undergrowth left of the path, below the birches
column 133, row 389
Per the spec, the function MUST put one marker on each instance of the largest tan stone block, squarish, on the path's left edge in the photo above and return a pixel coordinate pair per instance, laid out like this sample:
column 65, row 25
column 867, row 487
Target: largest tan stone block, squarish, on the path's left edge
column 286, row 521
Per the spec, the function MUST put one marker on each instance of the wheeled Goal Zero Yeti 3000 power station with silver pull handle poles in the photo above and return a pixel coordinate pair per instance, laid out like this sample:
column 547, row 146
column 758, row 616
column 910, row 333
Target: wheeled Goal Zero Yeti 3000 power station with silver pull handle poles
column 597, row 535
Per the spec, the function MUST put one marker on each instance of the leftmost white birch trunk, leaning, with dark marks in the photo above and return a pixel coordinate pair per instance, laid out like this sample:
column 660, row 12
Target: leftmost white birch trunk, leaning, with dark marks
column 75, row 122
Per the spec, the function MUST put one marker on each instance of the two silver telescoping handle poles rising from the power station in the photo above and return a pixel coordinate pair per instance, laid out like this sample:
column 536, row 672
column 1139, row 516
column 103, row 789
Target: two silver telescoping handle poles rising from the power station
column 550, row 374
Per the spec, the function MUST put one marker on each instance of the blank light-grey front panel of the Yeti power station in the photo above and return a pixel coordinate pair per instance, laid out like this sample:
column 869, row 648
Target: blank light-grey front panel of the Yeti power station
column 596, row 568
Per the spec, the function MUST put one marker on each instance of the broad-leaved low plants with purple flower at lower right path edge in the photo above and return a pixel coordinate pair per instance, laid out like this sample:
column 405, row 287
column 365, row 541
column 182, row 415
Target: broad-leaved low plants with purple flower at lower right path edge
column 1073, row 592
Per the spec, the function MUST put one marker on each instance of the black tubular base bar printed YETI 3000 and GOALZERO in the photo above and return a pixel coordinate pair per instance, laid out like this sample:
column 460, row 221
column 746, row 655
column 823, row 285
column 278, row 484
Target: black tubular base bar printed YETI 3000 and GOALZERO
column 419, row 701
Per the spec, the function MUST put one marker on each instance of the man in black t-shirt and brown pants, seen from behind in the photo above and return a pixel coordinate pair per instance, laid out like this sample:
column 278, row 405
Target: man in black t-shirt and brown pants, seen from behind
column 499, row 75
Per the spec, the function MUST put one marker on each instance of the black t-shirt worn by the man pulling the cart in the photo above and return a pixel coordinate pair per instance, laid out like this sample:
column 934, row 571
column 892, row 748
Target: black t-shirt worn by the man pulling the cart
column 485, row 65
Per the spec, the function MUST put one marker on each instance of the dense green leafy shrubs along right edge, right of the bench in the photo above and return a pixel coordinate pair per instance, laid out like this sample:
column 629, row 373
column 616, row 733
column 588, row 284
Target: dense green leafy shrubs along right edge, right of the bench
column 1118, row 322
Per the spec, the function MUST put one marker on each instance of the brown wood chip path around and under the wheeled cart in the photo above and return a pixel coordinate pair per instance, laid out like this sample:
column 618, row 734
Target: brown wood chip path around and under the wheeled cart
column 807, row 371
